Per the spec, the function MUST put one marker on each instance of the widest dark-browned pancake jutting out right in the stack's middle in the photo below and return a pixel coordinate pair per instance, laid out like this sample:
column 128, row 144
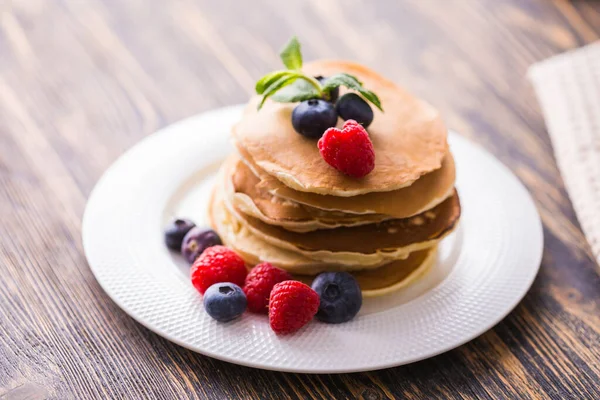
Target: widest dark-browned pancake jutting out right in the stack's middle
column 367, row 244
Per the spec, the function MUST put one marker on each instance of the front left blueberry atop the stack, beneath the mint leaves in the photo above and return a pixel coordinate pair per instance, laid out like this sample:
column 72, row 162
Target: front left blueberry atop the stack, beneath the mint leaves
column 312, row 117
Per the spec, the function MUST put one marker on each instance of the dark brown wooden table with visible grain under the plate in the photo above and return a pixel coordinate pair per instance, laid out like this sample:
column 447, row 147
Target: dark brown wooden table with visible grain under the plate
column 81, row 81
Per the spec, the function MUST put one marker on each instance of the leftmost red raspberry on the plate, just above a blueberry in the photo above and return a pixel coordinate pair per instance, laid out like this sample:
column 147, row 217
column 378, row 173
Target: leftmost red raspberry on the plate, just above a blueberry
column 217, row 264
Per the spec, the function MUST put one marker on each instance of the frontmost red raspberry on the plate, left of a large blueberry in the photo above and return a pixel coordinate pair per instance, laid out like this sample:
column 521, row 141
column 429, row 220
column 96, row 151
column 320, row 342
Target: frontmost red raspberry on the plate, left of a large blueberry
column 291, row 306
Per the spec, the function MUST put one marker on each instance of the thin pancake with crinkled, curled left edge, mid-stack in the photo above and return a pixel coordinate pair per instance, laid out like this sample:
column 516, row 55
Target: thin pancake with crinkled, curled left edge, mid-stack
column 246, row 195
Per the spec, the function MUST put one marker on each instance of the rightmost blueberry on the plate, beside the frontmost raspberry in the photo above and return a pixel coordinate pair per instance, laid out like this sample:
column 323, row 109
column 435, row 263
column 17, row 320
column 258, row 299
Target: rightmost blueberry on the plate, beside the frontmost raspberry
column 340, row 295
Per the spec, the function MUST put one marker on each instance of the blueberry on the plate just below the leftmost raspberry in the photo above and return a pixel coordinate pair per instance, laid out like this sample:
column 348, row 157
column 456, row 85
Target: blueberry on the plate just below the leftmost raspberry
column 224, row 301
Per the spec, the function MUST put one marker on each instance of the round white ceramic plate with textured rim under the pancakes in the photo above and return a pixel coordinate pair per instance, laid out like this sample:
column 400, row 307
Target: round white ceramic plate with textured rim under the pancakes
column 482, row 272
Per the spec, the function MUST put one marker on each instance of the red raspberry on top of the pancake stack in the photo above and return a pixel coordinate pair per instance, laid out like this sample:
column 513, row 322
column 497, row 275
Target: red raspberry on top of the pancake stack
column 348, row 150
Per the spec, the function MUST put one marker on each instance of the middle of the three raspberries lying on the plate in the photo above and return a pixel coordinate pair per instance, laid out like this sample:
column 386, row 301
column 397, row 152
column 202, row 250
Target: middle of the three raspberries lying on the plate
column 259, row 283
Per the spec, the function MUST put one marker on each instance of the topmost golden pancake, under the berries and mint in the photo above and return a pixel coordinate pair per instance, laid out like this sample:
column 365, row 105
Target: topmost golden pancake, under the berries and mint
column 409, row 139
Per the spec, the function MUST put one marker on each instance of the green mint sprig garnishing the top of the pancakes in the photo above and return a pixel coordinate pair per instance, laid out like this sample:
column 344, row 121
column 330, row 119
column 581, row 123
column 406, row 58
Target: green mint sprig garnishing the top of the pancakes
column 291, row 85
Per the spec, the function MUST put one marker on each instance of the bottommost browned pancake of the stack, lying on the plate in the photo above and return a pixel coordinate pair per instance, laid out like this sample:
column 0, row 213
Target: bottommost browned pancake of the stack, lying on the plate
column 391, row 277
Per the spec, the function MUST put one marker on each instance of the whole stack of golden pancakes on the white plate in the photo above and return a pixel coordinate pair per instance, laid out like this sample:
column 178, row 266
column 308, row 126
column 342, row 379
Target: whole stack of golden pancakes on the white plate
column 278, row 201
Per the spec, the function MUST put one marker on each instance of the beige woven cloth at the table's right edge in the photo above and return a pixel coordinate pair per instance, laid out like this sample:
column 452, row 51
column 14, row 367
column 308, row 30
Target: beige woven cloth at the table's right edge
column 568, row 89
